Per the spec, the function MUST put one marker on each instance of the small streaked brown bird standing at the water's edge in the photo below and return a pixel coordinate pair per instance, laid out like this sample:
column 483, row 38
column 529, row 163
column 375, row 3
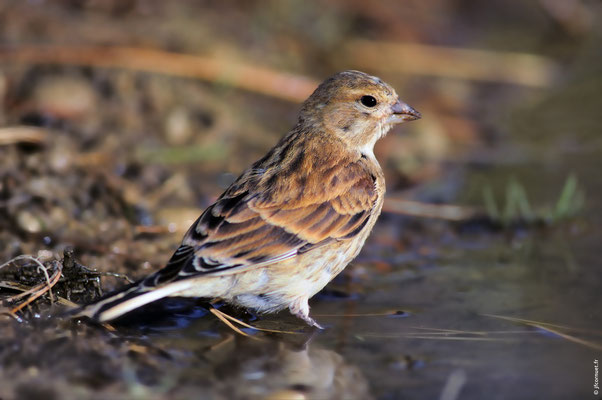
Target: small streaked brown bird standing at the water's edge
column 293, row 220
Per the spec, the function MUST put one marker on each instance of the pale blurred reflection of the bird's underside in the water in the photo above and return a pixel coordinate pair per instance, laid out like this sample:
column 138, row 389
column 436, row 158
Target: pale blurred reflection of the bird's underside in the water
column 276, row 369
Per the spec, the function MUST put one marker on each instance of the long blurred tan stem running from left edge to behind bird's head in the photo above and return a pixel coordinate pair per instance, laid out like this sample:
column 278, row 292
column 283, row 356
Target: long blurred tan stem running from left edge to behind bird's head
column 249, row 77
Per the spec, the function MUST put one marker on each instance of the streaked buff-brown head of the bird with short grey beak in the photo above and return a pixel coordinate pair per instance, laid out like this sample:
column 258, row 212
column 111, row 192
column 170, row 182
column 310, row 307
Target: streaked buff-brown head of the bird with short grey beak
column 357, row 108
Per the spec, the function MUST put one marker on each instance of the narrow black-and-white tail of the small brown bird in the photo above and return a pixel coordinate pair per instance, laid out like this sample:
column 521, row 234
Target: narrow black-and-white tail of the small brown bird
column 120, row 303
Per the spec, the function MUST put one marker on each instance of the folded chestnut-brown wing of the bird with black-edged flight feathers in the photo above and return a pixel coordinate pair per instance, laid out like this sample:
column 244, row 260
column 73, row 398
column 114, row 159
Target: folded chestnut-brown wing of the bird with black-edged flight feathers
column 246, row 229
